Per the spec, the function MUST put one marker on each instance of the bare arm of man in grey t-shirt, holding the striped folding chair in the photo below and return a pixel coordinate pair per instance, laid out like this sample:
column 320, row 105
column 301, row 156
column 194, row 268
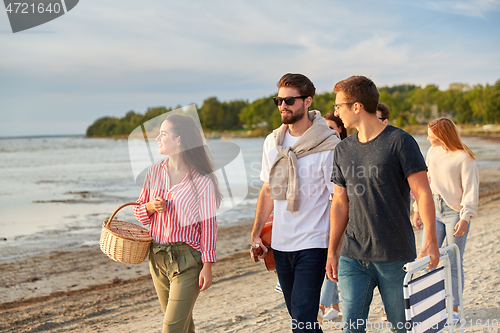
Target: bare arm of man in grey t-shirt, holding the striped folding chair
column 420, row 187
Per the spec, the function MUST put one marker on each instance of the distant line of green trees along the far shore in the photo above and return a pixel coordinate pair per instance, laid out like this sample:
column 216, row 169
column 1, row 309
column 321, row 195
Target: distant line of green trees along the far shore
column 409, row 104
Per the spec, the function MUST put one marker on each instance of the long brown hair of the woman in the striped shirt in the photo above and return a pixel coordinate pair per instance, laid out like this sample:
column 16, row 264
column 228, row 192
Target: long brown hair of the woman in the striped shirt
column 193, row 152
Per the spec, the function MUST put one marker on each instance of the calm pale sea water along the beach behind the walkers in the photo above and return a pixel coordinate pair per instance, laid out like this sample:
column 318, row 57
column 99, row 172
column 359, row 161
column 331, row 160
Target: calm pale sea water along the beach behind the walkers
column 57, row 191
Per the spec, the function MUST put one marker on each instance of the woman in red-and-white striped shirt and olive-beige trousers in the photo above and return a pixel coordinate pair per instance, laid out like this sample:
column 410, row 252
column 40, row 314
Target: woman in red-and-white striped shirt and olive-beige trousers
column 179, row 200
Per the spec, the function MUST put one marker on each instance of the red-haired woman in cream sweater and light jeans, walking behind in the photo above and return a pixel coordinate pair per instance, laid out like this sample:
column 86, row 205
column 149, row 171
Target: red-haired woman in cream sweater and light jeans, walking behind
column 454, row 181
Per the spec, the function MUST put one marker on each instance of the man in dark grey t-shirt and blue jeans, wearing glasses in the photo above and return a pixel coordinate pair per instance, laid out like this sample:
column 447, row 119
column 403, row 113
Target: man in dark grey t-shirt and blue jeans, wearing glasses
column 374, row 170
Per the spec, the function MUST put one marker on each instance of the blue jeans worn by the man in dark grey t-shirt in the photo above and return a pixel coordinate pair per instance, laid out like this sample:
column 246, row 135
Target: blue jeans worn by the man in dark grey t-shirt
column 358, row 279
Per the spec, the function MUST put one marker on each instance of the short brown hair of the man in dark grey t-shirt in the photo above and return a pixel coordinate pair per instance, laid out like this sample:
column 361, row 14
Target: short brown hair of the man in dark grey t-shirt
column 359, row 89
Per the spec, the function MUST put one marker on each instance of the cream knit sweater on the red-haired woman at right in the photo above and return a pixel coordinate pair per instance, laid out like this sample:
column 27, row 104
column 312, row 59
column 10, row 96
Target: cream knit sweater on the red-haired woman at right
column 455, row 178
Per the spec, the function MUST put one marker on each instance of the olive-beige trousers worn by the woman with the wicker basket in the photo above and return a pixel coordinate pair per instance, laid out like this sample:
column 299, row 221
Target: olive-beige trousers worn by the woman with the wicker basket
column 175, row 269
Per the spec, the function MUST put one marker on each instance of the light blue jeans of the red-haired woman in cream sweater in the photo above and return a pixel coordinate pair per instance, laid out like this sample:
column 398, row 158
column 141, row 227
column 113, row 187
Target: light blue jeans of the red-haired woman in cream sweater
column 446, row 219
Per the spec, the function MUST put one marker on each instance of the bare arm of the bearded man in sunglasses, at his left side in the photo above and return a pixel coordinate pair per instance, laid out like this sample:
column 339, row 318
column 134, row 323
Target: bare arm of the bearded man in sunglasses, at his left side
column 264, row 208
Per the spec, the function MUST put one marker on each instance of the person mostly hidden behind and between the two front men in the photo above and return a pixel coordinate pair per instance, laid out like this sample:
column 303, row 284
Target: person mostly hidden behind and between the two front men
column 329, row 290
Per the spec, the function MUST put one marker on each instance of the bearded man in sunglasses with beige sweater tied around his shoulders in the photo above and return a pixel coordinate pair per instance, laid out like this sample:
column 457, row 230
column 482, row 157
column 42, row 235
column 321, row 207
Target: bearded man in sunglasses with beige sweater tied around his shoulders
column 297, row 162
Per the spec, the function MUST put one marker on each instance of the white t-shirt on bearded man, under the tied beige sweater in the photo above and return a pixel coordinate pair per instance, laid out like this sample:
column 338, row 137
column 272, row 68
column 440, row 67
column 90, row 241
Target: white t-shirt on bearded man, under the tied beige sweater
column 309, row 227
